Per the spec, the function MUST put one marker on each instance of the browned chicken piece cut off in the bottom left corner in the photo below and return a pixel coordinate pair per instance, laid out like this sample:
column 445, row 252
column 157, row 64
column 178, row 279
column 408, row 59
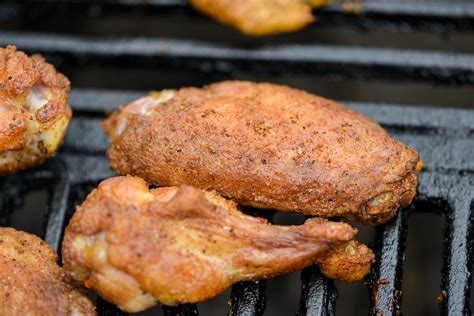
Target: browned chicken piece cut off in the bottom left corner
column 32, row 283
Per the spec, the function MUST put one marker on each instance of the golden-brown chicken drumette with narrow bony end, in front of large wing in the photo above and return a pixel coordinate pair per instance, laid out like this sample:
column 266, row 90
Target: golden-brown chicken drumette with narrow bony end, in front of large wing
column 139, row 247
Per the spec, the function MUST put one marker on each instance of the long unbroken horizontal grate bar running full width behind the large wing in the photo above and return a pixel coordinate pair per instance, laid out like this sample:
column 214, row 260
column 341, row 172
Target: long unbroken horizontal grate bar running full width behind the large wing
column 321, row 60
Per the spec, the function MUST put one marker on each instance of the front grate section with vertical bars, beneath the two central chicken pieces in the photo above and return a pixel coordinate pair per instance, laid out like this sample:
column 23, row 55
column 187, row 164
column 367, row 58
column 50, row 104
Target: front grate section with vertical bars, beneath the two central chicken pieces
column 444, row 186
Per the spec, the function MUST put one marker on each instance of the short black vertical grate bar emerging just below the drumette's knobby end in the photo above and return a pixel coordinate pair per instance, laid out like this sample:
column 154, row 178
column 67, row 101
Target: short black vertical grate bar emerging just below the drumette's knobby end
column 318, row 294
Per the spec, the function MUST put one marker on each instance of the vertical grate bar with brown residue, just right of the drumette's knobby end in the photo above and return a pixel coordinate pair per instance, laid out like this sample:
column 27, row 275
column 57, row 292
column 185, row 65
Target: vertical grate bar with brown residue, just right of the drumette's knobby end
column 386, row 275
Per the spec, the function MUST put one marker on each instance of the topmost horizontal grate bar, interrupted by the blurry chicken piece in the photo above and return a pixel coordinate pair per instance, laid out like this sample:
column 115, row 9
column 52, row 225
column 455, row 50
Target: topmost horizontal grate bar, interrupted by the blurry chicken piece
column 405, row 15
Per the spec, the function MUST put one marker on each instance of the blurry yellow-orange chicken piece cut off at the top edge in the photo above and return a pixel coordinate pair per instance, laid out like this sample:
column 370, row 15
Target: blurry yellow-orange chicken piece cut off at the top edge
column 260, row 17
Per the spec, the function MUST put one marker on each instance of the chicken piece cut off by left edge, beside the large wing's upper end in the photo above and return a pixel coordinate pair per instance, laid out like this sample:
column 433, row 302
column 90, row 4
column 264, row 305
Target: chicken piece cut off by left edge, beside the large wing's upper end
column 34, row 114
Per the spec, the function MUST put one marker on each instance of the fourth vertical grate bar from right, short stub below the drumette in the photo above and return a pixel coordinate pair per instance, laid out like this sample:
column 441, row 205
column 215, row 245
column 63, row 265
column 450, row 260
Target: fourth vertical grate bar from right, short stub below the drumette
column 248, row 298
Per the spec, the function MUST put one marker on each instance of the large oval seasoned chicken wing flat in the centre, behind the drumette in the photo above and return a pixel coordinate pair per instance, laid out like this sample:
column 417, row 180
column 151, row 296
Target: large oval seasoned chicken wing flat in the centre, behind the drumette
column 268, row 146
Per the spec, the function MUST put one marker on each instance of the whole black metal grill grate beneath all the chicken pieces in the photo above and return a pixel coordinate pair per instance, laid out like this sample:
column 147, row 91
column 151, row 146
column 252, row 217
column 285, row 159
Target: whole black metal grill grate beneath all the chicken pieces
column 443, row 136
